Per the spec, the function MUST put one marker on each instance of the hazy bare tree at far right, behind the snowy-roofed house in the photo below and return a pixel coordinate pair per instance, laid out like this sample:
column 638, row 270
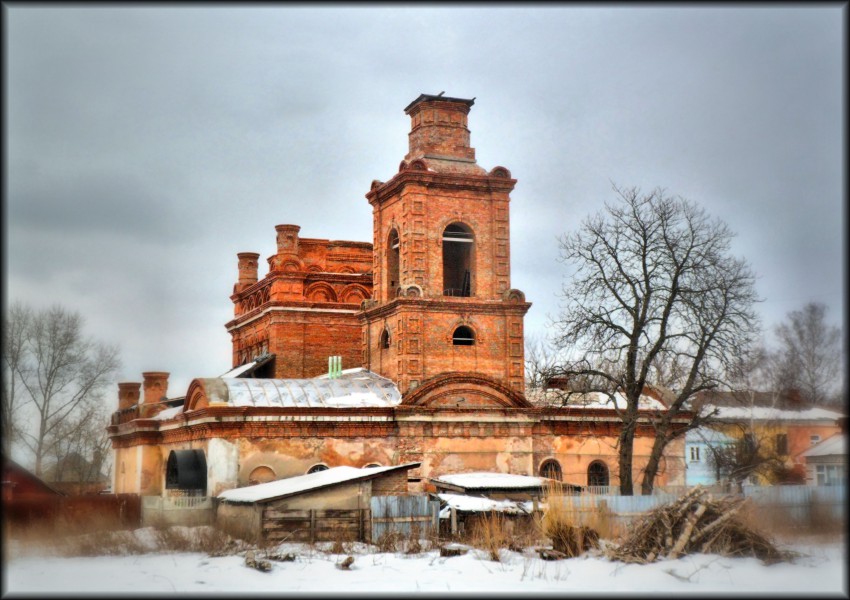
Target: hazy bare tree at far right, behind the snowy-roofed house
column 810, row 354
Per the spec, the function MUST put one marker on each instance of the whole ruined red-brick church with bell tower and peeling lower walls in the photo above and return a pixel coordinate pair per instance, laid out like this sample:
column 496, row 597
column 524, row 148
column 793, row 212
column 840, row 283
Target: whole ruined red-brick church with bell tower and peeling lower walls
column 427, row 325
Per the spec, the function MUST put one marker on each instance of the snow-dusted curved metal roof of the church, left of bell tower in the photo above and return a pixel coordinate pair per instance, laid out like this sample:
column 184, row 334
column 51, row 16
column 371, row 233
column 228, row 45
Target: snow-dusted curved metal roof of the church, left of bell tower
column 354, row 388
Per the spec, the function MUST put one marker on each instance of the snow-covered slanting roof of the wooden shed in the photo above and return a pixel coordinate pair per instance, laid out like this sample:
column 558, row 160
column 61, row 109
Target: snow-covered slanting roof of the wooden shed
column 304, row 483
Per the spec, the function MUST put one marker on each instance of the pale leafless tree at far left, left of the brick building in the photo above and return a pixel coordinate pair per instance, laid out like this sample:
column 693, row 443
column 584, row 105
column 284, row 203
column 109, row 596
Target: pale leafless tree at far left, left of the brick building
column 57, row 374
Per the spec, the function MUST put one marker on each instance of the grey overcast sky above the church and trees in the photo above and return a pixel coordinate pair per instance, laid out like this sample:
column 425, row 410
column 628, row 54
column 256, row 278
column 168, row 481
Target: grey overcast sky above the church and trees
column 148, row 145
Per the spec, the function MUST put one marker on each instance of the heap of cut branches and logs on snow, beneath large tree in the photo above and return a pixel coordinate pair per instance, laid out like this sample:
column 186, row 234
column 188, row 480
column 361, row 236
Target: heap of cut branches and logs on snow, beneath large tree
column 695, row 523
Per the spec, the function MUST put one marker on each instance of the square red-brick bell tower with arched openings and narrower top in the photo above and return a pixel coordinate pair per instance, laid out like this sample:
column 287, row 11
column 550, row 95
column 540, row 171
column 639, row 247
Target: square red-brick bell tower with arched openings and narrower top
column 442, row 300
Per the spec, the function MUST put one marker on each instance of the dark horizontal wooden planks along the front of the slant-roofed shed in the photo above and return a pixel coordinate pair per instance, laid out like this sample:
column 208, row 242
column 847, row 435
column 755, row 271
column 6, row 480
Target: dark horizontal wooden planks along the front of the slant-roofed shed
column 315, row 525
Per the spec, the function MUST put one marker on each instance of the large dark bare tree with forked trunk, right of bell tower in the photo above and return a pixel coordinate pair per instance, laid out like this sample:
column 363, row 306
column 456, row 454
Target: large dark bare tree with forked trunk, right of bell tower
column 655, row 293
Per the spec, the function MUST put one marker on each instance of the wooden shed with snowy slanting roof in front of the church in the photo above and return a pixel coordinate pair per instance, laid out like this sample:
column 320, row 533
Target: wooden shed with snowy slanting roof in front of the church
column 328, row 505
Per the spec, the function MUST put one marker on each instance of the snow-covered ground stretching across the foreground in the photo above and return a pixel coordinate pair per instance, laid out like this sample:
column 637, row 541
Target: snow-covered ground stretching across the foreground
column 820, row 571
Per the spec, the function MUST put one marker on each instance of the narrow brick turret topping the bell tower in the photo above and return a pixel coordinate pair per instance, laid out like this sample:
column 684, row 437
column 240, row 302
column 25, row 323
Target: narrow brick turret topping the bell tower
column 438, row 128
